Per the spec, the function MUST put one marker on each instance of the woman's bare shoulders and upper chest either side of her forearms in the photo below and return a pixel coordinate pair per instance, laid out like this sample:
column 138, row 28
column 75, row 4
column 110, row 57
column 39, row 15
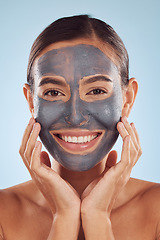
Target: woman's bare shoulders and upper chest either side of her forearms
column 25, row 214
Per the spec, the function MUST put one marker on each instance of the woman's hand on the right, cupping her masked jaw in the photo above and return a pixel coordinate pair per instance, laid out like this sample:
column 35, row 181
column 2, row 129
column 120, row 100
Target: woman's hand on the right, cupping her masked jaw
column 100, row 195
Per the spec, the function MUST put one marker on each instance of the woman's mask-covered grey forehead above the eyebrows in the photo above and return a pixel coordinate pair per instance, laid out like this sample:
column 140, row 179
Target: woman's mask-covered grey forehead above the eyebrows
column 80, row 60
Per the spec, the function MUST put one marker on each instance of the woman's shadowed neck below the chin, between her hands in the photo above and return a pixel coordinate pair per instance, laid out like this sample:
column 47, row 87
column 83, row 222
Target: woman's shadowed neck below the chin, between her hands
column 79, row 180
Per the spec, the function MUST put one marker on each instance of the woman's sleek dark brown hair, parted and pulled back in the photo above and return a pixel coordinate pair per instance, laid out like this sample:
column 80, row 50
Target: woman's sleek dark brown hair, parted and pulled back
column 81, row 26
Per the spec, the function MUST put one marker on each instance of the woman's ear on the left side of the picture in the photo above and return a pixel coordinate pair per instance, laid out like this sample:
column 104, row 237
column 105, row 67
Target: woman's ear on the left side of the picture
column 29, row 97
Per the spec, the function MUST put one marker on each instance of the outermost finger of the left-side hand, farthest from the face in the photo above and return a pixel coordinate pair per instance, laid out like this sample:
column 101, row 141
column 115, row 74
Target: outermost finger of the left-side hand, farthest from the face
column 26, row 135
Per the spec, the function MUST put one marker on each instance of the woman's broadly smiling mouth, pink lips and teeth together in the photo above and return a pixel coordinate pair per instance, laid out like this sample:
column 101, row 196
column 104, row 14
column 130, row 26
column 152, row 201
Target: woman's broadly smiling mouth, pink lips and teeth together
column 78, row 142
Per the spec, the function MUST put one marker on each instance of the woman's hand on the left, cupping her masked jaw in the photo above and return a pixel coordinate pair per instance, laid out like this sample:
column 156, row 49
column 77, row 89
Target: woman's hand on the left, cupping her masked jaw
column 61, row 197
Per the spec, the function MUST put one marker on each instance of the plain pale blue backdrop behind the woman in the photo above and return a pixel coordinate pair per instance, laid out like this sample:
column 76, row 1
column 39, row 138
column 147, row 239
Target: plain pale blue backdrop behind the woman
column 138, row 24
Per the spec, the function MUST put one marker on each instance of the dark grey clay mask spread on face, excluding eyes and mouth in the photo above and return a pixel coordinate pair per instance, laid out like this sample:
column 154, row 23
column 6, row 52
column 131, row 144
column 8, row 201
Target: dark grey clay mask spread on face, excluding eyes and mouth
column 73, row 64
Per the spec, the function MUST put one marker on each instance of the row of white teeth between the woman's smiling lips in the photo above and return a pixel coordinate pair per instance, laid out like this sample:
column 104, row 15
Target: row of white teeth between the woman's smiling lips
column 80, row 139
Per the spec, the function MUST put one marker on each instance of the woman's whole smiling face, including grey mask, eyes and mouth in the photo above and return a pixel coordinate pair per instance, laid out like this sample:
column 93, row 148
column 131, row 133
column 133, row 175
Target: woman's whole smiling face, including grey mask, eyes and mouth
column 78, row 102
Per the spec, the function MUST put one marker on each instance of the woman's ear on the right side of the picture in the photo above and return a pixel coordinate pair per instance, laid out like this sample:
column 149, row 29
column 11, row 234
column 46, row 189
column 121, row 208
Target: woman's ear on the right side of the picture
column 129, row 95
